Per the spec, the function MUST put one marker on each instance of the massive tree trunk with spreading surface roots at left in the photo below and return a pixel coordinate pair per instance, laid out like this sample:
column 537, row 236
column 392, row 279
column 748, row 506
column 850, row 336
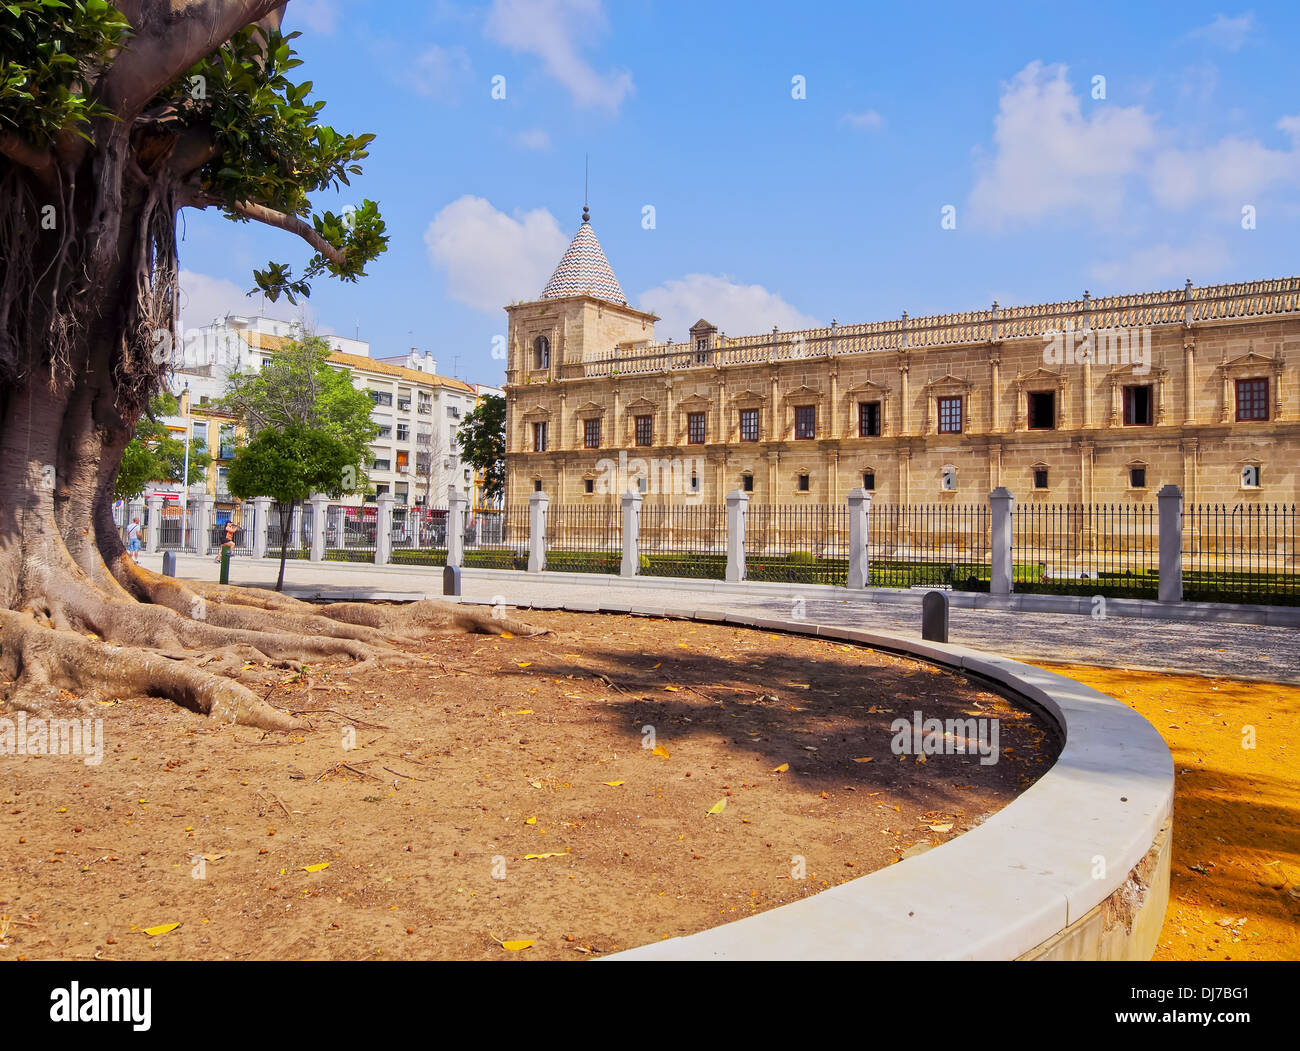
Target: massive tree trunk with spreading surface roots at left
column 84, row 306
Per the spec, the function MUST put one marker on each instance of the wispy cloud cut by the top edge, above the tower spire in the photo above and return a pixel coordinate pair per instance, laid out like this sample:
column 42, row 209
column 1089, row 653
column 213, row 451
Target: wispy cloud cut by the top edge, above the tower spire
column 553, row 31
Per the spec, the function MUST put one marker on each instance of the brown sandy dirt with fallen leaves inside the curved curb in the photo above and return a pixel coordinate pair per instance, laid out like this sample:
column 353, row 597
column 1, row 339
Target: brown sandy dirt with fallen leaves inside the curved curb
column 616, row 782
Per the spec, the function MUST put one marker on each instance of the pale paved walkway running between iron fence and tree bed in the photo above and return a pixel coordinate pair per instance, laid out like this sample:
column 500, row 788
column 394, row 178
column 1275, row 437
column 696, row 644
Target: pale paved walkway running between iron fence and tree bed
column 1202, row 648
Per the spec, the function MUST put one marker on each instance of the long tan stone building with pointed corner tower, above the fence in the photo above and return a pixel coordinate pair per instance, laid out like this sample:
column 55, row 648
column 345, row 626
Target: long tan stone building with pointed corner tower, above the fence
column 1080, row 401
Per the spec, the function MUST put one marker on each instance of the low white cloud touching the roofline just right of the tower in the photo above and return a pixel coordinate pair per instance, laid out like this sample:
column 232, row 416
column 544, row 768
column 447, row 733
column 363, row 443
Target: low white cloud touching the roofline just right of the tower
column 740, row 310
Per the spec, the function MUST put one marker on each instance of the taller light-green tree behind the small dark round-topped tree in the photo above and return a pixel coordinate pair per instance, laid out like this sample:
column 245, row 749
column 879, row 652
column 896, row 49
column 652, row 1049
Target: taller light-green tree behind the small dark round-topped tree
column 300, row 388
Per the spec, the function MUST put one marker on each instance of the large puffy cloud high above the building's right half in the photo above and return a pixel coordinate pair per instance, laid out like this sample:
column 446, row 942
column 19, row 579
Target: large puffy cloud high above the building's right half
column 1051, row 161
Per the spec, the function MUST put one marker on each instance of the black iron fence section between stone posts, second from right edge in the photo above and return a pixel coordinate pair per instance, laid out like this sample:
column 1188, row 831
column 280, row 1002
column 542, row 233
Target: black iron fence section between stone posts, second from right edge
column 1086, row 548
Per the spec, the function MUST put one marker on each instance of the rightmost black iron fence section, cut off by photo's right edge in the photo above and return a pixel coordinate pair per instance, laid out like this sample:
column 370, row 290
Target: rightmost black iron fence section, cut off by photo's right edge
column 1246, row 553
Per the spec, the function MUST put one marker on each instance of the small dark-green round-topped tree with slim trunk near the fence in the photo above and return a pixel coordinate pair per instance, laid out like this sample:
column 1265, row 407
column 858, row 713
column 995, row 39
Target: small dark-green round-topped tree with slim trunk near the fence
column 289, row 465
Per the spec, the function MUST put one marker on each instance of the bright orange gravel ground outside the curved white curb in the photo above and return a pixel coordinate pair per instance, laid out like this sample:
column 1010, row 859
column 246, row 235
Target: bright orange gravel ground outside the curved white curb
column 1236, row 885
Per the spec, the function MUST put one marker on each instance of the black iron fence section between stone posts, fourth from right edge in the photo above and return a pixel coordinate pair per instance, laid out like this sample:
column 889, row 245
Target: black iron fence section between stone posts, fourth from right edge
column 805, row 544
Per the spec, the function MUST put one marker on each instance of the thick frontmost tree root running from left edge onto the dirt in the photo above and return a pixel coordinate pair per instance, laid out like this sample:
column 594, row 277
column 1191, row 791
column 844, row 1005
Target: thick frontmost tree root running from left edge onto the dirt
column 42, row 661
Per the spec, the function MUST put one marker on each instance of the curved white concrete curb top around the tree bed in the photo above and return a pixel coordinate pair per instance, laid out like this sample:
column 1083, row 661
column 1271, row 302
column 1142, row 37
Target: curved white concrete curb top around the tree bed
column 1000, row 890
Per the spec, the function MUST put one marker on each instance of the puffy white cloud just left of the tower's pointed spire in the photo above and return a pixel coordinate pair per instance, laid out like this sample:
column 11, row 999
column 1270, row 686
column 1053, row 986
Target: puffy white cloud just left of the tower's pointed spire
column 492, row 259
